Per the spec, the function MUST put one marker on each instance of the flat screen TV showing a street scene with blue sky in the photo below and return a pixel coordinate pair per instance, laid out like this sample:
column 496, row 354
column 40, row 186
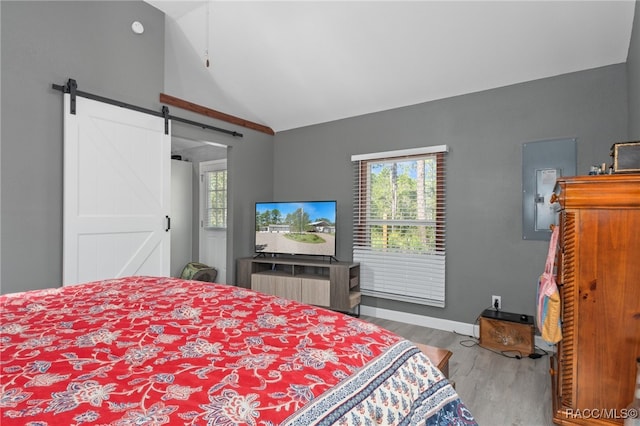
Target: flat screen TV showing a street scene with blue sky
column 296, row 227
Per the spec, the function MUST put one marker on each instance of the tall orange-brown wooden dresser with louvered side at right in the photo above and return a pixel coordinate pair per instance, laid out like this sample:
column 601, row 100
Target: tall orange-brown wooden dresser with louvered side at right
column 593, row 371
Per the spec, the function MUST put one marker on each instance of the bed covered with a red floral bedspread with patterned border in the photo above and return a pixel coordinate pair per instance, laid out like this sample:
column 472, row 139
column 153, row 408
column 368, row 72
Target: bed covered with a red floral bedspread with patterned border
column 151, row 351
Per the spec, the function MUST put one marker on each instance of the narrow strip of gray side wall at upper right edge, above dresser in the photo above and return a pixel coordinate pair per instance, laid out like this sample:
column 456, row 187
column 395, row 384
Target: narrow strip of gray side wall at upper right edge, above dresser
column 633, row 77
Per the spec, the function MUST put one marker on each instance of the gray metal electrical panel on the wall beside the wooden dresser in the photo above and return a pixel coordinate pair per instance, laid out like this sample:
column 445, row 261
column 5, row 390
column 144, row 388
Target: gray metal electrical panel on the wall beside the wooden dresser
column 543, row 162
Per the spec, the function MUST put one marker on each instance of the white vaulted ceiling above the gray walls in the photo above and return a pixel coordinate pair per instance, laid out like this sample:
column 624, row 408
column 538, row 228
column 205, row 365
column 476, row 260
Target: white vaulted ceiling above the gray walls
column 290, row 64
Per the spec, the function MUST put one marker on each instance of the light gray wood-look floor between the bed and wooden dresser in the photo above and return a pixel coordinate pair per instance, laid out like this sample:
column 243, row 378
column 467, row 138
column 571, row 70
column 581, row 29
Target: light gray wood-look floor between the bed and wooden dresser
column 498, row 391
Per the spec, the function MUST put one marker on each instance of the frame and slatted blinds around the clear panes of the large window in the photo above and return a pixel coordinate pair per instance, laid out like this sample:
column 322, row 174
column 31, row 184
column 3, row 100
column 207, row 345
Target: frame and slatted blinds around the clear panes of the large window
column 401, row 273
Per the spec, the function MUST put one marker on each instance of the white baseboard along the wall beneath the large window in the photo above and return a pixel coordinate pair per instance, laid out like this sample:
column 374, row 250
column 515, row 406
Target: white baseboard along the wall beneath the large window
column 466, row 329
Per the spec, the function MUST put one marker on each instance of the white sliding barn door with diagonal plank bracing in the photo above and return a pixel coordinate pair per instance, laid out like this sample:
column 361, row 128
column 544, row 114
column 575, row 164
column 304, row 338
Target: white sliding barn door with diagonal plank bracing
column 117, row 186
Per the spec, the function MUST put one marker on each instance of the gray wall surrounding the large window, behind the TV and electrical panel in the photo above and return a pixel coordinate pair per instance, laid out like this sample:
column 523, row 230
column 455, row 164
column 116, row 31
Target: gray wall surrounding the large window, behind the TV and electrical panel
column 485, row 132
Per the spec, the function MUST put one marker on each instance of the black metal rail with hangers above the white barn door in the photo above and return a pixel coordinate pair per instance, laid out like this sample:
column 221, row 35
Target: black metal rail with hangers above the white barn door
column 71, row 87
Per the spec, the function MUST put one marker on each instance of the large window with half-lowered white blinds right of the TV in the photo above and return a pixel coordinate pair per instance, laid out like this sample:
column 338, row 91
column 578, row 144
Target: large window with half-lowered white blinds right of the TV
column 399, row 224
